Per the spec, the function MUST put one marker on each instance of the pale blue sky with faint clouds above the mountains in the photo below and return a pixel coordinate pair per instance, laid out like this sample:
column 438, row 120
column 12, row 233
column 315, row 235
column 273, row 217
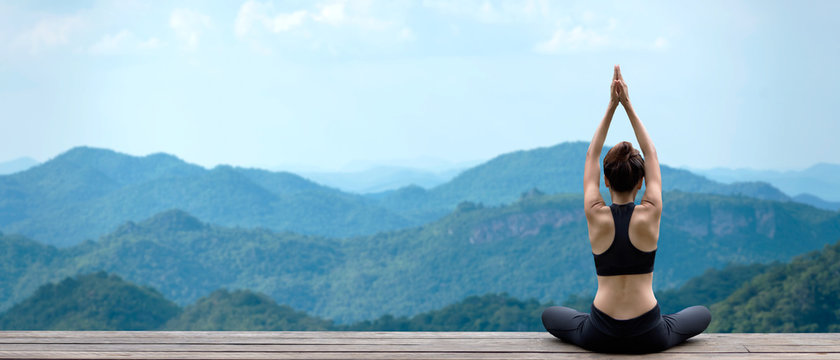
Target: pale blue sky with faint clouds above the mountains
column 331, row 85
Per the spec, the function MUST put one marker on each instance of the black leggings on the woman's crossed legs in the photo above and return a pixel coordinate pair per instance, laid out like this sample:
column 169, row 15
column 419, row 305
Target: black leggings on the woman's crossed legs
column 649, row 332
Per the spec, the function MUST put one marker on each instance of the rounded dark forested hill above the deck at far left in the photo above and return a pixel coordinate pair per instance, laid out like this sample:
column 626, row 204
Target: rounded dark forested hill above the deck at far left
column 90, row 302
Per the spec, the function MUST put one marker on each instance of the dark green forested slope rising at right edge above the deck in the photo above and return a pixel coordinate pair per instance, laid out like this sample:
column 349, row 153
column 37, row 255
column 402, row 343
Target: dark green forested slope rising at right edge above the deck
column 802, row 296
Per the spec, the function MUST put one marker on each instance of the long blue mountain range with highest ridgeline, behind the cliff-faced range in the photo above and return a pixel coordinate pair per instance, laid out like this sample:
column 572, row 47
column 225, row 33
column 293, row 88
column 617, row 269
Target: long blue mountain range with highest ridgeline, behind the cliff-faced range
column 87, row 192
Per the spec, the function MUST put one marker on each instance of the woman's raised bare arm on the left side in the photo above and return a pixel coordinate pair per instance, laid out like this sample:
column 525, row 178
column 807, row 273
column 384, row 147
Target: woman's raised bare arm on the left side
column 592, row 198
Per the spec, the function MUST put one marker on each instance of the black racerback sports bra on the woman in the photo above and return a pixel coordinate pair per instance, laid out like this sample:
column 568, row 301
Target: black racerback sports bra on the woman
column 622, row 258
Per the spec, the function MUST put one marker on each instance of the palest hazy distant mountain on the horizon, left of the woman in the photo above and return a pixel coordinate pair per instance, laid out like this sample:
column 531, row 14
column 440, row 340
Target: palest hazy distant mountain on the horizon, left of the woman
column 381, row 178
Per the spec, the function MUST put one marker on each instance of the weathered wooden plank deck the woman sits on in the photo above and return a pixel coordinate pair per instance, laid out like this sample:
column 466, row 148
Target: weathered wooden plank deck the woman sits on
column 384, row 345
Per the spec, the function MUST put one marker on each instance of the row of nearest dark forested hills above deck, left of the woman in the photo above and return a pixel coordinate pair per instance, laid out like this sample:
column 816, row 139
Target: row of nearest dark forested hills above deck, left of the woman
column 100, row 301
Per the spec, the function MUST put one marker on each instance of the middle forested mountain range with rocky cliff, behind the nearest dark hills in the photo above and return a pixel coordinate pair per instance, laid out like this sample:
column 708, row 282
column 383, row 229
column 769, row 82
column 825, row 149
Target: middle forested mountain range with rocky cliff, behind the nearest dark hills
column 533, row 248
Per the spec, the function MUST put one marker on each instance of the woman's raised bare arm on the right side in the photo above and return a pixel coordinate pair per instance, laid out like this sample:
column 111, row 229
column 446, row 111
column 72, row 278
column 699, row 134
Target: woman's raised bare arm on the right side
column 653, row 177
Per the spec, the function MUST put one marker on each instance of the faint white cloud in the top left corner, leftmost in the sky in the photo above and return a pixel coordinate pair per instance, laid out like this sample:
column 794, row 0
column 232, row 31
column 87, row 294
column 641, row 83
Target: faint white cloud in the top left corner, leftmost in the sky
column 49, row 32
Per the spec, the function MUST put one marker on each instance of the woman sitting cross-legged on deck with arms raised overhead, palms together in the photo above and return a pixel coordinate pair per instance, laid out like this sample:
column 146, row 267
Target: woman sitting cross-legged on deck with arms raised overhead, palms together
column 624, row 316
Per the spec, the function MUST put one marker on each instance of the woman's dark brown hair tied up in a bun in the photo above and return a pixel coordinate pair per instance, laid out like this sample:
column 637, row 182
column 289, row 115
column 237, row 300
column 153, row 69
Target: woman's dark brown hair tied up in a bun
column 624, row 167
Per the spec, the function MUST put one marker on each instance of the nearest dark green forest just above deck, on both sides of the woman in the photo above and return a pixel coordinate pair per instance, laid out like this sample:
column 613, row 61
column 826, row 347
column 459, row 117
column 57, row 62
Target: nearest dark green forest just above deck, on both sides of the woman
column 800, row 296
